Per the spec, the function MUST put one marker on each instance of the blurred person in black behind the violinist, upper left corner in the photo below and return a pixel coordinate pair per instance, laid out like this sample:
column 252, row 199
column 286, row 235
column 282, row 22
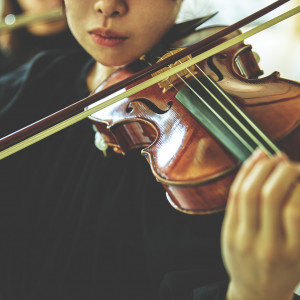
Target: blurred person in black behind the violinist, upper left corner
column 19, row 45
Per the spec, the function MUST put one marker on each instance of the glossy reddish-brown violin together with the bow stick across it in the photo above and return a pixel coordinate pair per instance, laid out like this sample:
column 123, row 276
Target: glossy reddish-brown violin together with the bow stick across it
column 197, row 125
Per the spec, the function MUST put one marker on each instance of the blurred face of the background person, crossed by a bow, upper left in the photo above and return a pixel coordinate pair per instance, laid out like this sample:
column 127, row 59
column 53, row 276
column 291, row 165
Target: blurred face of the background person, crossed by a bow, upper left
column 39, row 6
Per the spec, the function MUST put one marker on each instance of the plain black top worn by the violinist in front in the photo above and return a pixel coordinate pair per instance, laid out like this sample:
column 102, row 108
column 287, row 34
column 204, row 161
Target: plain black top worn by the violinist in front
column 77, row 225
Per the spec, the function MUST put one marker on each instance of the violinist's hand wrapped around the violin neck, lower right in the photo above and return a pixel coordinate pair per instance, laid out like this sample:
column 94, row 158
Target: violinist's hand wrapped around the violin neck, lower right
column 261, row 230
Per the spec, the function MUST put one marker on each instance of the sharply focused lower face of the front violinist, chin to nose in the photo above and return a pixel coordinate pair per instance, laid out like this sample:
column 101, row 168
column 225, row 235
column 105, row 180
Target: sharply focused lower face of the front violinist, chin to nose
column 117, row 32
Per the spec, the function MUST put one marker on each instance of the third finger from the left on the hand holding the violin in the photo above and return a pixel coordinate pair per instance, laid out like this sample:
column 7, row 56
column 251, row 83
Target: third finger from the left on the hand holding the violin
column 273, row 196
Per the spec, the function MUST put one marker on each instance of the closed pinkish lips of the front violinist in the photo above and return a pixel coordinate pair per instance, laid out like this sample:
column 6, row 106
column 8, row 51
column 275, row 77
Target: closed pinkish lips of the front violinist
column 107, row 38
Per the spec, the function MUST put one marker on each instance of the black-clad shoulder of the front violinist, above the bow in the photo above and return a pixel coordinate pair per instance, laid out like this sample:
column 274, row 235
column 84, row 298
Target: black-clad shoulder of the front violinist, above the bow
column 47, row 83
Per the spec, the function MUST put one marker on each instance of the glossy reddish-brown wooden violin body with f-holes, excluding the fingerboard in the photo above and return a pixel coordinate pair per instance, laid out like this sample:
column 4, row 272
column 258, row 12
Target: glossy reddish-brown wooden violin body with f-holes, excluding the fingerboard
column 193, row 166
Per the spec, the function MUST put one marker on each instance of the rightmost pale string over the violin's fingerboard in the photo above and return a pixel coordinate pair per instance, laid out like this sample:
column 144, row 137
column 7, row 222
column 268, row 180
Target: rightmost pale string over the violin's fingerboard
column 241, row 113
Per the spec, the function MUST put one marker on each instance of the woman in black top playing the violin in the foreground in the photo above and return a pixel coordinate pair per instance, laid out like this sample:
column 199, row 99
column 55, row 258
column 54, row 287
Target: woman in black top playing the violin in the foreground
column 78, row 225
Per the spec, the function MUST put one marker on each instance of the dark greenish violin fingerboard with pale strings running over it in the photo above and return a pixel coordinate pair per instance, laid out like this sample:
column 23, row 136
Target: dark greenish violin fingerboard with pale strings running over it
column 221, row 116
